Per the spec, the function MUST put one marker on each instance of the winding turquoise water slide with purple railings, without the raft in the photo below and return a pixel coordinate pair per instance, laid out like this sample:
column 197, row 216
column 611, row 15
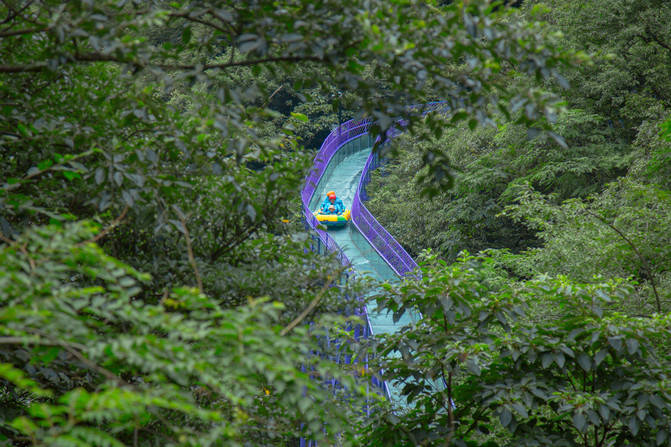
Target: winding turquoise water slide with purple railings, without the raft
column 343, row 164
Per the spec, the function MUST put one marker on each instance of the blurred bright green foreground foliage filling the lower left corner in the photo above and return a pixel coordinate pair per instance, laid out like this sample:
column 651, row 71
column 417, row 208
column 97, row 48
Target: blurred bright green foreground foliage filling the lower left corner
column 107, row 368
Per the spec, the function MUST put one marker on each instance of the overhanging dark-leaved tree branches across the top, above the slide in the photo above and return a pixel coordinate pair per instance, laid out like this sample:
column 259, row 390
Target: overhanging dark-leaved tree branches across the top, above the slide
column 86, row 62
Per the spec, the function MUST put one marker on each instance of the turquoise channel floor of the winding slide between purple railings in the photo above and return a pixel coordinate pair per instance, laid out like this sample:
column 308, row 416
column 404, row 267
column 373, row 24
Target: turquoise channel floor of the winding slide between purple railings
column 343, row 176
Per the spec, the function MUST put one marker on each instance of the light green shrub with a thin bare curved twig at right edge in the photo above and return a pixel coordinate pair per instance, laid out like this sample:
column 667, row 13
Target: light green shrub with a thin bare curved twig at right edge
column 621, row 232
